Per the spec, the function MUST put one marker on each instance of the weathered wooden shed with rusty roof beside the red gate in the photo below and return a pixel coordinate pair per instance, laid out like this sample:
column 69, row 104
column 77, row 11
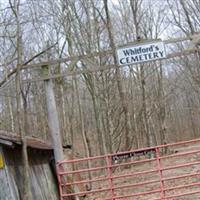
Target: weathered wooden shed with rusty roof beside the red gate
column 42, row 176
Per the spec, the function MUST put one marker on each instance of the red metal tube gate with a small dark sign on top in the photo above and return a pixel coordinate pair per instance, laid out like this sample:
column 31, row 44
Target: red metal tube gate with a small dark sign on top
column 169, row 171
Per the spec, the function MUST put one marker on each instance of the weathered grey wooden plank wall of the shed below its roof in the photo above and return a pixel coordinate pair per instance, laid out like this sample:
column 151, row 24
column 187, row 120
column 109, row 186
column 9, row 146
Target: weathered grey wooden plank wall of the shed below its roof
column 43, row 183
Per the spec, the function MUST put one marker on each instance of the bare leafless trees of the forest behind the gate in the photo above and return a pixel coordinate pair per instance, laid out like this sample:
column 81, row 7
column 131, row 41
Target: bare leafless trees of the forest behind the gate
column 102, row 108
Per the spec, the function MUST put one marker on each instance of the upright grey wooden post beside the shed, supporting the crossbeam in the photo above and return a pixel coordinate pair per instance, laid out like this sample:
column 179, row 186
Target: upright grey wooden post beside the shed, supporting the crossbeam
column 53, row 120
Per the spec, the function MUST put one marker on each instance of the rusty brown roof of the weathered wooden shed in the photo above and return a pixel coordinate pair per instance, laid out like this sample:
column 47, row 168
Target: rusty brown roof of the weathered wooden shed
column 9, row 138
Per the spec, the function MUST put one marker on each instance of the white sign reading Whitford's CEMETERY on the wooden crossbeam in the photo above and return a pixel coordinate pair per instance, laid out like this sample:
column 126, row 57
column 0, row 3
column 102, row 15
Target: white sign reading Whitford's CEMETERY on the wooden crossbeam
column 141, row 53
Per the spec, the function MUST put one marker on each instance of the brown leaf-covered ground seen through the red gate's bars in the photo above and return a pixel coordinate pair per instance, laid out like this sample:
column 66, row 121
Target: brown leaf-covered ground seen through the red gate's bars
column 140, row 167
